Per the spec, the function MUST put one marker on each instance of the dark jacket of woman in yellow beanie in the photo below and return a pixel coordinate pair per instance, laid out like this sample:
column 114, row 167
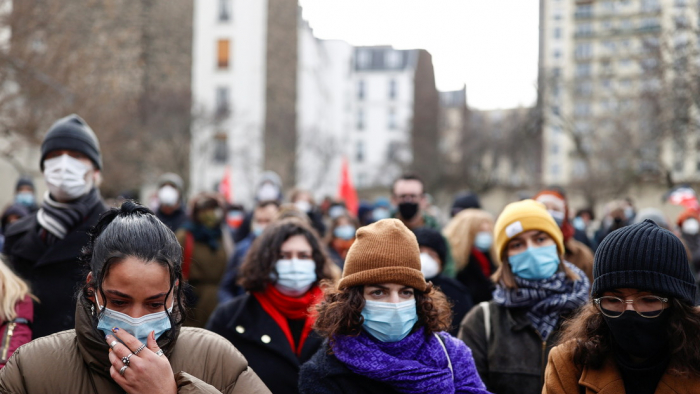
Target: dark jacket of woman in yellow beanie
column 513, row 359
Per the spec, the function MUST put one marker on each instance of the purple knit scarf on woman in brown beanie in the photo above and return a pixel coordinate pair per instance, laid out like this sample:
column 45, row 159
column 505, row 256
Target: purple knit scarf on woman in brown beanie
column 415, row 364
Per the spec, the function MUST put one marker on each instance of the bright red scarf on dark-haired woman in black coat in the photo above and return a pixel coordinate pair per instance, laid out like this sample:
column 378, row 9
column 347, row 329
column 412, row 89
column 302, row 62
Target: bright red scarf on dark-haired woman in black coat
column 281, row 307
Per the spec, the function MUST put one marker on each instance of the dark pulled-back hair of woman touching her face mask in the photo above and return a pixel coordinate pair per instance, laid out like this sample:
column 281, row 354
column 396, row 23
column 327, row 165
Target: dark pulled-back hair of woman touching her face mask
column 133, row 231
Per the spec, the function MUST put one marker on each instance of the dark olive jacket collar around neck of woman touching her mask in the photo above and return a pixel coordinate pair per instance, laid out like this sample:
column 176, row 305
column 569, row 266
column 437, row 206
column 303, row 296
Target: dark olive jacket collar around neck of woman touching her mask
column 92, row 345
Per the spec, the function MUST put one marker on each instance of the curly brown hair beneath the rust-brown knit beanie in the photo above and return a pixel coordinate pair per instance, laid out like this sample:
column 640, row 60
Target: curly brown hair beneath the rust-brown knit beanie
column 340, row 311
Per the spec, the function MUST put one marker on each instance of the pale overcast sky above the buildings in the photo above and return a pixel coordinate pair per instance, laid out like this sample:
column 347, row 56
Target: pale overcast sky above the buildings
column 489, row 45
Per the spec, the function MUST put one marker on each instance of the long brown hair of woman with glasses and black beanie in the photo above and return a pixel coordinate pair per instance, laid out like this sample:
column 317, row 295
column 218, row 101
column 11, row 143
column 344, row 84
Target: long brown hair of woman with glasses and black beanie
column 593, row 340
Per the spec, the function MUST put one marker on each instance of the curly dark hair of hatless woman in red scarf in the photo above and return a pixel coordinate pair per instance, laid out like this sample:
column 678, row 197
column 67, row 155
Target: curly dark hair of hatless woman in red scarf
column 266, row 250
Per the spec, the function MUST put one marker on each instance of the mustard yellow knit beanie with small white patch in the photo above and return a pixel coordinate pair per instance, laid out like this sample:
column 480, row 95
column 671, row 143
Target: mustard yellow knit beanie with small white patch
column 522, row 216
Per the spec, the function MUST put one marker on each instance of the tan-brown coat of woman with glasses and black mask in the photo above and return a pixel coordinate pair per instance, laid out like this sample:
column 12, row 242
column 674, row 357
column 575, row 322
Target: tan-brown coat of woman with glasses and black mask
column 562, row 376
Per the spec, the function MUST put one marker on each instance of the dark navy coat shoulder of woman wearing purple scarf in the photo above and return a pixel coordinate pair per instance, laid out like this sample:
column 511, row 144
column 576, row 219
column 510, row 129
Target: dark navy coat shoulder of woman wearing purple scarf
column 324, row 373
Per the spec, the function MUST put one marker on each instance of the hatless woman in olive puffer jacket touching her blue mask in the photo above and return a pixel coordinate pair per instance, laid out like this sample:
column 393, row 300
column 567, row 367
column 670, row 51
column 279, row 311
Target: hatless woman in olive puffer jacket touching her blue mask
column 128, row 334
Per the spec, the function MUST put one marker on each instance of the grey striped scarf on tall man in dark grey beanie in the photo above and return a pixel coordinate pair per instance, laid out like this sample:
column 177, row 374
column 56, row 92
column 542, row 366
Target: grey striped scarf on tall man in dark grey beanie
column 58, row 219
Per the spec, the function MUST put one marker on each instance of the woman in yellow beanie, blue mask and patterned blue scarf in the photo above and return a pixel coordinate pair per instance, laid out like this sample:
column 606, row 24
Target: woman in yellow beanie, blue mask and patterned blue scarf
column 535, row 289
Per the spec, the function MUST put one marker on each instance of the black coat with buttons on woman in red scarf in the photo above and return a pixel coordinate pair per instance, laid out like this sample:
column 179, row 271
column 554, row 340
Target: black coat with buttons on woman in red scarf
column 263, row 343
